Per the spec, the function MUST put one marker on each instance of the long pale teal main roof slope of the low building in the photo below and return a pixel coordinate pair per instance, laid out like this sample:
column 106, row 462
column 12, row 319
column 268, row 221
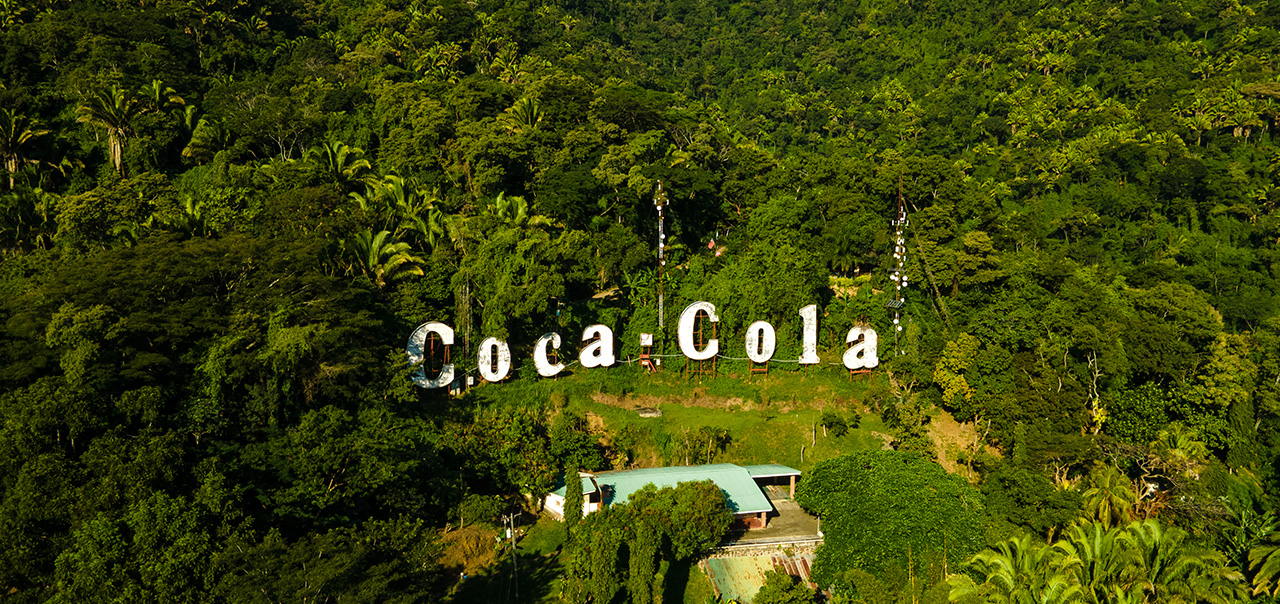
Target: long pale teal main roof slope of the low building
column 743, row 495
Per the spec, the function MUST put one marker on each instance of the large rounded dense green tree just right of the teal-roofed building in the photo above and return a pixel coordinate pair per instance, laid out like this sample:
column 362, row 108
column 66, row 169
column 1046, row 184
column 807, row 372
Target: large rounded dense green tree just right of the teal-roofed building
column 889, row 509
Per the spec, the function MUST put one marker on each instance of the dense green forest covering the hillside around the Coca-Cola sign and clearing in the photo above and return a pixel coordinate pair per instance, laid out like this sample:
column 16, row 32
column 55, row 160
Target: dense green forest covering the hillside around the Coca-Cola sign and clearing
column 221, row 221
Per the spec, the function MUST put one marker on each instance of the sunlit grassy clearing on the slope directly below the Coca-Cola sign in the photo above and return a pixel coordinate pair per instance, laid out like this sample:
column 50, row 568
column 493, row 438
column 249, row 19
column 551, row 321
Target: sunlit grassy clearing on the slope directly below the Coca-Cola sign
column 770, row 419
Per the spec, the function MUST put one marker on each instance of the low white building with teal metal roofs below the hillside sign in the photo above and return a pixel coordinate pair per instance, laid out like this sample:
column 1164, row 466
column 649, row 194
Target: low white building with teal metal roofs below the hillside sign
column 742, row 489
